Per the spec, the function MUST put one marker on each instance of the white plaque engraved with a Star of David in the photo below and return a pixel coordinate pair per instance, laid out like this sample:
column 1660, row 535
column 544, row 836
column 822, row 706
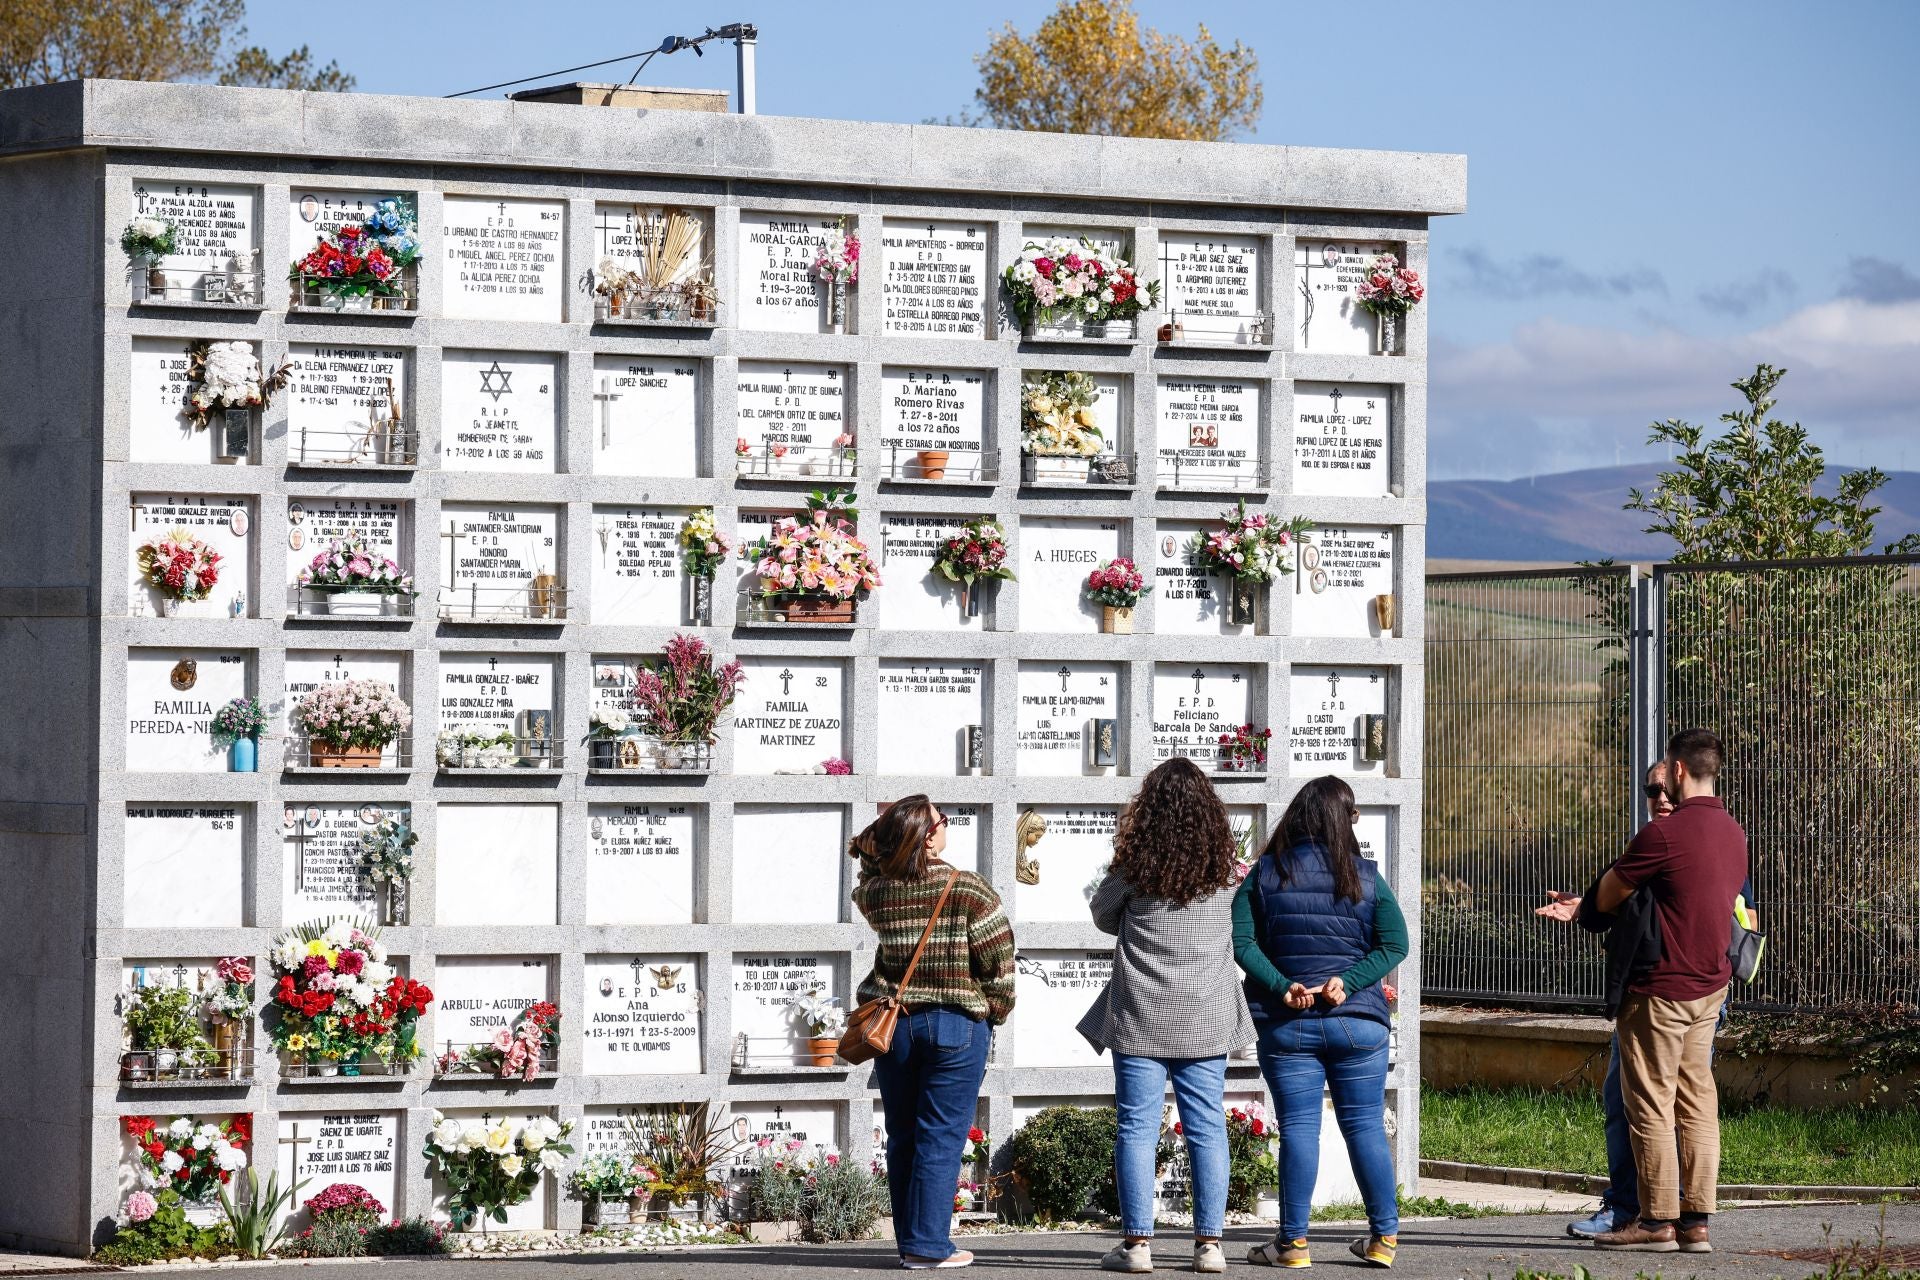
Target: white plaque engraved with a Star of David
column 500, row 412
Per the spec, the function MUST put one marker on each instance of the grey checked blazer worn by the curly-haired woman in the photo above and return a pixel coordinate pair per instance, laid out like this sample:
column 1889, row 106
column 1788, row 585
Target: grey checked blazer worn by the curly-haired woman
column 1176, row 989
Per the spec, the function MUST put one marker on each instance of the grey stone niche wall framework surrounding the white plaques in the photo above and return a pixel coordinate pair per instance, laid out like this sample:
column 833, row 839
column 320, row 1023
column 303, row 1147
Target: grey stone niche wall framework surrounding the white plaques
column 85, row 149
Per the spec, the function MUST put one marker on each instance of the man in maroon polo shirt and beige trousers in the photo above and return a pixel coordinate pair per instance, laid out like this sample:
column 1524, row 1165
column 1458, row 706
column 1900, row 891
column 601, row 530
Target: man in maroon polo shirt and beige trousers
column 1692, row 863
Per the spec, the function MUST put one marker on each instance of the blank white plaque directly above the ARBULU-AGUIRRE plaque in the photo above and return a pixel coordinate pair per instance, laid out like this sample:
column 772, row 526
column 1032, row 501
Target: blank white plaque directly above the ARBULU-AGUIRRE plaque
column 498, row 865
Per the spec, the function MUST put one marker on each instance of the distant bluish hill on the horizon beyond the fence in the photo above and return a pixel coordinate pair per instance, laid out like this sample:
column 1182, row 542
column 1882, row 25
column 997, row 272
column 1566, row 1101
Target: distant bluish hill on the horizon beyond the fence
column 1577, row 515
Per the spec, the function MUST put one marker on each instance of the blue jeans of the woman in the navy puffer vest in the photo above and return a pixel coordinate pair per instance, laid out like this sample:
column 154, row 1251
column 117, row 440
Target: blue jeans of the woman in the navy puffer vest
column 1349, row 1058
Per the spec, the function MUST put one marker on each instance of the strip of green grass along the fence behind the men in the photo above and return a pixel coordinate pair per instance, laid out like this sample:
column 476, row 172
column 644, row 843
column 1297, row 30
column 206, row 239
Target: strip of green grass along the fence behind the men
column 1758, row 1145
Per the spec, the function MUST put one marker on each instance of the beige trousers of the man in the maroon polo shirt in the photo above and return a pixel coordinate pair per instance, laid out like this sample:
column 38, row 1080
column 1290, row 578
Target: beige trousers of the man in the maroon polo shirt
column 1669, row 1093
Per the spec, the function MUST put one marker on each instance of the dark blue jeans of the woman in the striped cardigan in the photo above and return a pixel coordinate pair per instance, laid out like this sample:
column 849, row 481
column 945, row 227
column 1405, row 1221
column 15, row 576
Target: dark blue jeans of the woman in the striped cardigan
column 930, row 1089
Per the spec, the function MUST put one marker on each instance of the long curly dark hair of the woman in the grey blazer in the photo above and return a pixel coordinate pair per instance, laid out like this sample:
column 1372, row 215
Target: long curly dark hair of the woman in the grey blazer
column 1174, row 840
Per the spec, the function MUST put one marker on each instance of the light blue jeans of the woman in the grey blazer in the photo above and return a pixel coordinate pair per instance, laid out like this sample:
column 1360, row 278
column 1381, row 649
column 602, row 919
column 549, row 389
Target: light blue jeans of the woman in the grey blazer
column 1140, row 1097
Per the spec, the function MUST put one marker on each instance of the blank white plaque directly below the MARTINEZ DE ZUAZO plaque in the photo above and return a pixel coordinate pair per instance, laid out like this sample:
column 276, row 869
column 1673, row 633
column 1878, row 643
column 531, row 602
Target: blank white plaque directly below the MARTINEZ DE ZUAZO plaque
column 790, row 865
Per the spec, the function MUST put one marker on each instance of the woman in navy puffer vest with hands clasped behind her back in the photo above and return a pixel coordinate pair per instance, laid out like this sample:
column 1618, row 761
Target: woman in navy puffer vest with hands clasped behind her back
column 1316, row 930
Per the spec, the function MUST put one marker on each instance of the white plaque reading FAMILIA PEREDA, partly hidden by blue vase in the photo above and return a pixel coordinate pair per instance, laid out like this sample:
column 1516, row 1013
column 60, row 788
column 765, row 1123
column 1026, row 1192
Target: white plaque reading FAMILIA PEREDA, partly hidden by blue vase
column 172, row 696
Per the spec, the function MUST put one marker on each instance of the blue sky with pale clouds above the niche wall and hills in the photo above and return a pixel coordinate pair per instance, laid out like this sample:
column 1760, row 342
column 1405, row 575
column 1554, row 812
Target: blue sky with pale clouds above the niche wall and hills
column 1662, row 195
